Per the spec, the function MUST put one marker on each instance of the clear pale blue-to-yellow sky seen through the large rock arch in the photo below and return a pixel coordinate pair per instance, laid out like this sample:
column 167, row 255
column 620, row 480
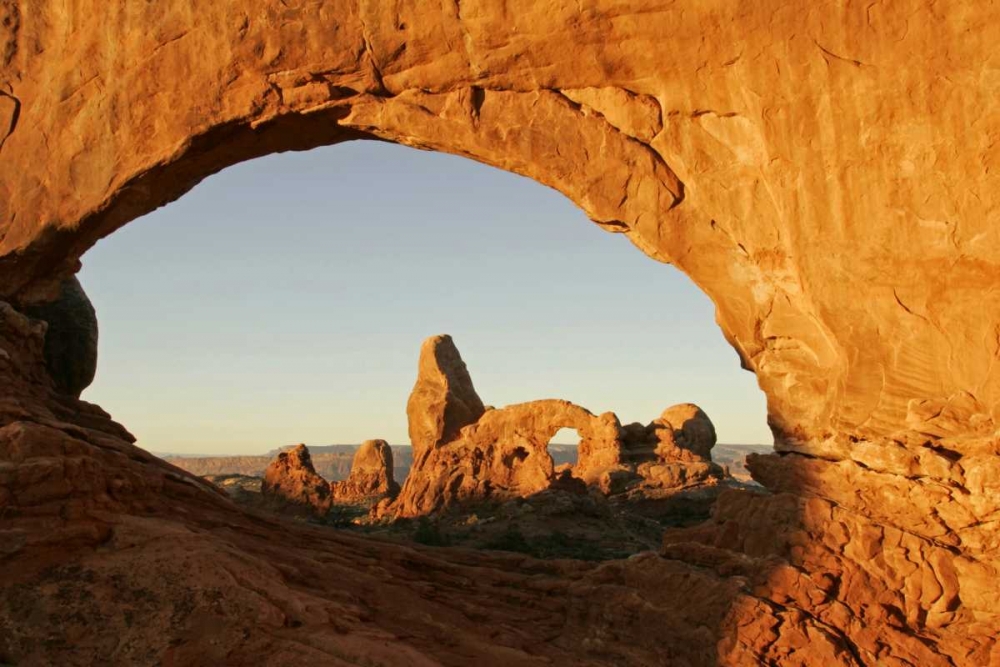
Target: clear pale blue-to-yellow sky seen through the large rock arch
column 285, row 299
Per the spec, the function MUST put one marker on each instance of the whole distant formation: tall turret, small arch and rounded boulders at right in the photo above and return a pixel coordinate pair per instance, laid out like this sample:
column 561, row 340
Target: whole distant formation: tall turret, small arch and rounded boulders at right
column 504, row 453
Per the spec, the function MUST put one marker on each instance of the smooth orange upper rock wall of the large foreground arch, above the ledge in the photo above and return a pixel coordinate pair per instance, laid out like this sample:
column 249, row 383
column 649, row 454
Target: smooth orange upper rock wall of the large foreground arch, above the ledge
column 804, row 109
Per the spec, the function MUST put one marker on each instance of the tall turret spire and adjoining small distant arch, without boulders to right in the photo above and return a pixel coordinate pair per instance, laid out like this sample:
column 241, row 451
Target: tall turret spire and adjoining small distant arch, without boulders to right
column 464, row 451
